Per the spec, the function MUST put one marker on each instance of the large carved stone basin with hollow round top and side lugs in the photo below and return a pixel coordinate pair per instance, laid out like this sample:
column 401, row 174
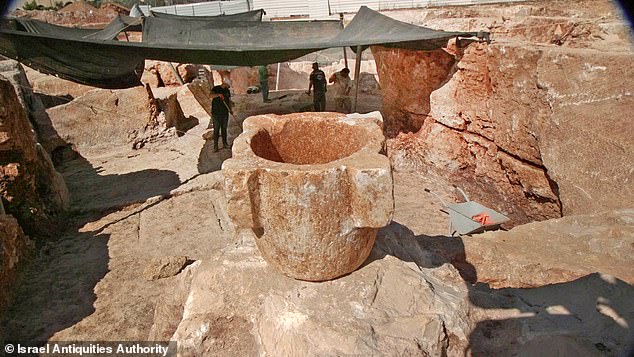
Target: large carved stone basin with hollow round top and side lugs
column 313, row 187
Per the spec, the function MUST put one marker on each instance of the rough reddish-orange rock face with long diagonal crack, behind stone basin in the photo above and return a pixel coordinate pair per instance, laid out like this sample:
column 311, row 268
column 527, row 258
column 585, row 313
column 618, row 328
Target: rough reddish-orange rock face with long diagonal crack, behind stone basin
column 470, row 129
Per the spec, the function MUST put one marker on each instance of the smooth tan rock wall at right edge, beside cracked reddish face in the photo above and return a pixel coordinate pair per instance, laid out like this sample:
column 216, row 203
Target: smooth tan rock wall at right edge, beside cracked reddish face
column 587, row 143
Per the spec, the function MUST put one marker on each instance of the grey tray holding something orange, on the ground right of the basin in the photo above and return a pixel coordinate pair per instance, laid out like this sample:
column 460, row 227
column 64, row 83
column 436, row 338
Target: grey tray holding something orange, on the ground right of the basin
column 470, row 217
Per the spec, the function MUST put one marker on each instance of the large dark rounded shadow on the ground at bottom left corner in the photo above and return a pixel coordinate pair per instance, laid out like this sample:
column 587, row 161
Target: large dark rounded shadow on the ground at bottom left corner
column 72, row 267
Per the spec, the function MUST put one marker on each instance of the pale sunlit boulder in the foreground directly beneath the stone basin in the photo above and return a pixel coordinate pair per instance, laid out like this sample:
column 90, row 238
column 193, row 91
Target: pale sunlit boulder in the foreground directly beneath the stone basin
column 237, row 305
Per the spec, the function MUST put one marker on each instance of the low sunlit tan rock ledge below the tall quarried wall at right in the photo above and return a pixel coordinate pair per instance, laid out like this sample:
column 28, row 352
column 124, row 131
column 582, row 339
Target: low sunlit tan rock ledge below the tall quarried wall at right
column 562, row 250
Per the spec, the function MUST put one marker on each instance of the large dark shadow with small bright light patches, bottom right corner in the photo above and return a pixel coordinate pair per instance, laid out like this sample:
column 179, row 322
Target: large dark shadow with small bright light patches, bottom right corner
column 584, row 317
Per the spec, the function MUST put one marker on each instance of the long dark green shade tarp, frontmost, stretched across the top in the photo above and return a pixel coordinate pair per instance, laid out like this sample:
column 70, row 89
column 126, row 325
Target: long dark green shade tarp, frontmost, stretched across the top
column 118, row 64
